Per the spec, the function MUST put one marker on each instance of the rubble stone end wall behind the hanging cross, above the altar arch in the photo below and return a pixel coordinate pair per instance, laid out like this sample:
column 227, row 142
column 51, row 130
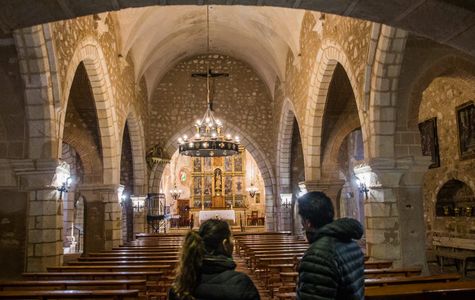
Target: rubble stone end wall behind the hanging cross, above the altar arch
column 241, row 99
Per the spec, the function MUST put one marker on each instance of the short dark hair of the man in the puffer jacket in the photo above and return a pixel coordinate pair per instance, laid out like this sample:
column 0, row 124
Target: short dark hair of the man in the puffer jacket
column 317, row 208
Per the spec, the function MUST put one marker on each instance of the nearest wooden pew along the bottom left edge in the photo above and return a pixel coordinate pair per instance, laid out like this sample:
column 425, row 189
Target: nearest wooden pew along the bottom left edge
column 71, row 294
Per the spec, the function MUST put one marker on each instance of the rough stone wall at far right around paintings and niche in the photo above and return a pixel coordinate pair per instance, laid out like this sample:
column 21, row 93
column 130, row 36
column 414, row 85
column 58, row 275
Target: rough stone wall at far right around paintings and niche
column 440, row 100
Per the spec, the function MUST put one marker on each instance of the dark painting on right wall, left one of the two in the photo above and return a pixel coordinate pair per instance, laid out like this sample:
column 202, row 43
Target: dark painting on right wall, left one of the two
column 429, row 141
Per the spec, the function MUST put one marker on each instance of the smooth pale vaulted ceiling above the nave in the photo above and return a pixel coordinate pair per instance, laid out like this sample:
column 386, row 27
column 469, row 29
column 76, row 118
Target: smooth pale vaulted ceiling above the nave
column 157, row 38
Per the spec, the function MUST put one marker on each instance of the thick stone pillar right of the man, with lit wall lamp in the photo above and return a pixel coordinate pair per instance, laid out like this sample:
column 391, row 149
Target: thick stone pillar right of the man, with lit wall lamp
column 393, row 210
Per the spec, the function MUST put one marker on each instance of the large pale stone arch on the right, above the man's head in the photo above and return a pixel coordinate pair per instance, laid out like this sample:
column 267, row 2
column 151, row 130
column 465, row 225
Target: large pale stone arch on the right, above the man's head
column 328, row 56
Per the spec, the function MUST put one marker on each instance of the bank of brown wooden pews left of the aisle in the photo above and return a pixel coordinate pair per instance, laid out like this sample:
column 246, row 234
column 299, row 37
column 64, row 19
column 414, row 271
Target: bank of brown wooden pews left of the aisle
column 138, row 270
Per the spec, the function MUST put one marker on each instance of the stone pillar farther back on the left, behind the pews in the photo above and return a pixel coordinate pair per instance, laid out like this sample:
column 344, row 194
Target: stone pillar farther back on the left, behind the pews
column 102, row 222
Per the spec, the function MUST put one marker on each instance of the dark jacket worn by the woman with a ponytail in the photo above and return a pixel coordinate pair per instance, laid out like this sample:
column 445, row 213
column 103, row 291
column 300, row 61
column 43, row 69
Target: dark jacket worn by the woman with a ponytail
column 219, row 281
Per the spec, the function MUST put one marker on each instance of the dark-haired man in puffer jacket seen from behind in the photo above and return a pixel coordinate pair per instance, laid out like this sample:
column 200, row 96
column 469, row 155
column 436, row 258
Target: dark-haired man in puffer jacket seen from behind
column 333, row 265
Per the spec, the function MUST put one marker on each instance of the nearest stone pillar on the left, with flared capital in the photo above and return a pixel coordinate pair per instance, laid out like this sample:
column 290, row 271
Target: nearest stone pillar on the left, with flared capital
column 44, row 213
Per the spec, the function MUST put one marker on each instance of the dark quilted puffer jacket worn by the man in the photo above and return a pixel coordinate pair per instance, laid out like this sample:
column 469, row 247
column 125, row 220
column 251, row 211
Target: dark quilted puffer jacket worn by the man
column 333, row 265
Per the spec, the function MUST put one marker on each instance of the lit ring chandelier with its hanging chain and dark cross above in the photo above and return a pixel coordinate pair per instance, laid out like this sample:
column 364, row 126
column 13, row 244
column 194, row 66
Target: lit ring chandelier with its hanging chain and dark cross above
column 209, row 139
